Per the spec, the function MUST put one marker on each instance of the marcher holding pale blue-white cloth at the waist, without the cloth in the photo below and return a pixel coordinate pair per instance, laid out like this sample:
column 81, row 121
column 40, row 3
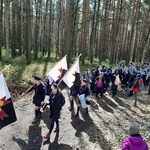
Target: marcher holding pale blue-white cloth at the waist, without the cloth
column 83, row 90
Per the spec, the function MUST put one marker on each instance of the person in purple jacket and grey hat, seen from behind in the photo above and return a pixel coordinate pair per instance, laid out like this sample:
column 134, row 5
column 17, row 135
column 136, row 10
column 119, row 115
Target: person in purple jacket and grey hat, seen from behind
column 134, row 141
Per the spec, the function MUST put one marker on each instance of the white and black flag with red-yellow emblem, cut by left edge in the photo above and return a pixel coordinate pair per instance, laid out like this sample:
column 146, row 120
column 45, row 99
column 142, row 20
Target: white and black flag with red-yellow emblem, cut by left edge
column 7, row 113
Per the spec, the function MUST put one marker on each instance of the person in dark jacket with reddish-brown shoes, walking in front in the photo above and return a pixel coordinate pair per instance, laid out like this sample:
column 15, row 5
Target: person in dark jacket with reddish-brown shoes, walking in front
column 55, row 108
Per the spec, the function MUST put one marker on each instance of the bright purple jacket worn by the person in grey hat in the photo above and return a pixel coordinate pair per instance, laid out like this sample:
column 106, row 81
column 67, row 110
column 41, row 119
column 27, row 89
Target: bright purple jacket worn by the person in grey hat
column 134, row 142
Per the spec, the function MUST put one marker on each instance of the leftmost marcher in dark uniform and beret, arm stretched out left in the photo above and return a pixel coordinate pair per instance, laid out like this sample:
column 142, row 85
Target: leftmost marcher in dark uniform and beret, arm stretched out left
column 38, row 98
